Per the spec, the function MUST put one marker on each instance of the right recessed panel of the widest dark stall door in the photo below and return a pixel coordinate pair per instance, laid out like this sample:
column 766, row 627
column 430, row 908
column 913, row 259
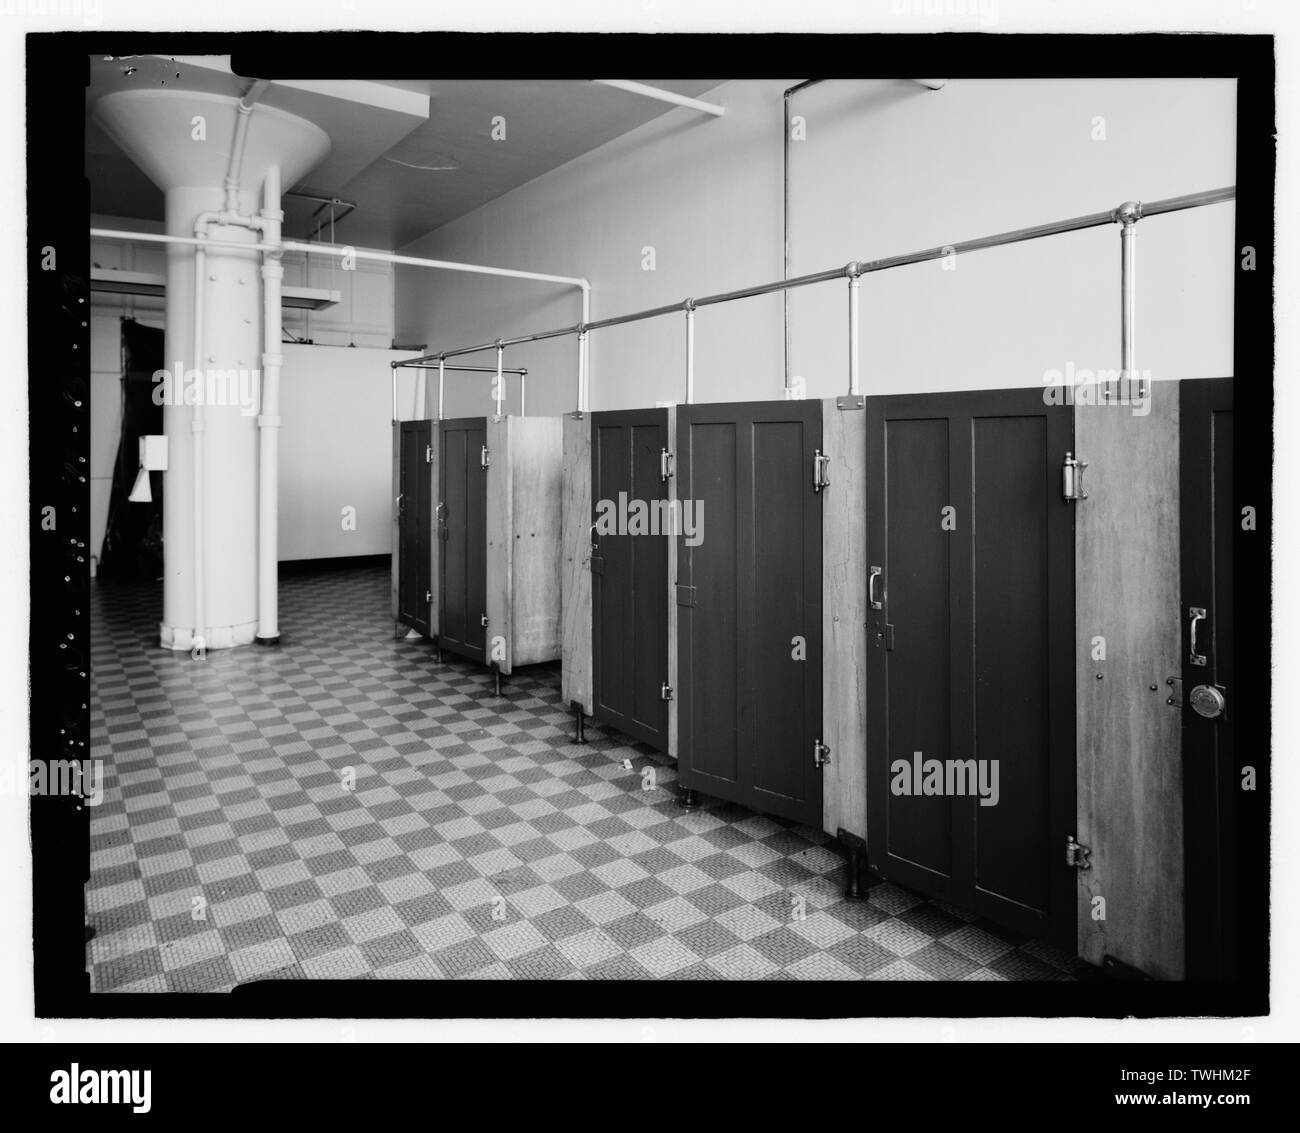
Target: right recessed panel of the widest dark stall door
column 1024, row 572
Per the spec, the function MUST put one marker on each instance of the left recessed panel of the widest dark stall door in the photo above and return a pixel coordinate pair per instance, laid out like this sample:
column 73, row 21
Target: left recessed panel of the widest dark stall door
column 909, row 649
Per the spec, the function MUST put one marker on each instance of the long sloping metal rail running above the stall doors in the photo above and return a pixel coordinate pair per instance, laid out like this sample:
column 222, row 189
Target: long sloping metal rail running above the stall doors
column 863, row 268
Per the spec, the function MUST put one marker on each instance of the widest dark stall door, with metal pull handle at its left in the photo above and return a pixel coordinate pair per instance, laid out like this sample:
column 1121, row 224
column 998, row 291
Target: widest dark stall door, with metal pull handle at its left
column 970, row 653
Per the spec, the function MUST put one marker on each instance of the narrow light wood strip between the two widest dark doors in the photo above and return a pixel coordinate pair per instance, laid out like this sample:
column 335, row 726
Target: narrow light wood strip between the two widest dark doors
column 844, row 617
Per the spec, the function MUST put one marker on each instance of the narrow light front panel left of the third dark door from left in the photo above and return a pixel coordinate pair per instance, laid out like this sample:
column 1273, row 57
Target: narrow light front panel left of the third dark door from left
column 575, row 567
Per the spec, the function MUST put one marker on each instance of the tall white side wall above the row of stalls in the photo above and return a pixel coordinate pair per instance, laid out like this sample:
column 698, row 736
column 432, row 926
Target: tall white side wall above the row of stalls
column 889, row 167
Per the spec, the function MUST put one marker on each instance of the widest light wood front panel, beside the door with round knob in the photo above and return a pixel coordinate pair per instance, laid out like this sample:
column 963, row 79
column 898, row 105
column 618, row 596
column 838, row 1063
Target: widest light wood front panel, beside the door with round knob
column 1130, row 784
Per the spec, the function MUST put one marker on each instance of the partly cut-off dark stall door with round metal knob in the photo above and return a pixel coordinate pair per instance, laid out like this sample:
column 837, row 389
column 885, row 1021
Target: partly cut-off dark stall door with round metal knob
column 1212, row 782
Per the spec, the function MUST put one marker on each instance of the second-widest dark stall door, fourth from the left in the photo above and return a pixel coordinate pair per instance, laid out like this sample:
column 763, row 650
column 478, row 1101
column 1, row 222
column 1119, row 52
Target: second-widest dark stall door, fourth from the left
column 749, row 597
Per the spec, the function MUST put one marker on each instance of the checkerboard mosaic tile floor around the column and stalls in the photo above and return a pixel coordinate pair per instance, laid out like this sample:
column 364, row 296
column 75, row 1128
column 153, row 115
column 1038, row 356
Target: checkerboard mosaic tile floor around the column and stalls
column 478, row 841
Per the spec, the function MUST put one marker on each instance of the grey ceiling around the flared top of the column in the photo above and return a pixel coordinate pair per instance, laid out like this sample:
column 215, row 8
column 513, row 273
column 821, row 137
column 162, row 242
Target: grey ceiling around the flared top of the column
column 406, row 173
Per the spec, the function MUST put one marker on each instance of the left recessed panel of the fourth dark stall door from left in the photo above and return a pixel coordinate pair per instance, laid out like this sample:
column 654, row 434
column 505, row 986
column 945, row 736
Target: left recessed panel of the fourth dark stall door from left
column 712, row 746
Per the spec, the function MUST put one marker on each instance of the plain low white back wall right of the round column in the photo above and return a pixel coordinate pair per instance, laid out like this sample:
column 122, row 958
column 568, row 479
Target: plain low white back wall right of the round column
column 336, row 449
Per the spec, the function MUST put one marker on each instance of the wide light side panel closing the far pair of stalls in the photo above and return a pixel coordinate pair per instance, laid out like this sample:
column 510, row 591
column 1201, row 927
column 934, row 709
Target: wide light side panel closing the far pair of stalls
column 523, row 531
